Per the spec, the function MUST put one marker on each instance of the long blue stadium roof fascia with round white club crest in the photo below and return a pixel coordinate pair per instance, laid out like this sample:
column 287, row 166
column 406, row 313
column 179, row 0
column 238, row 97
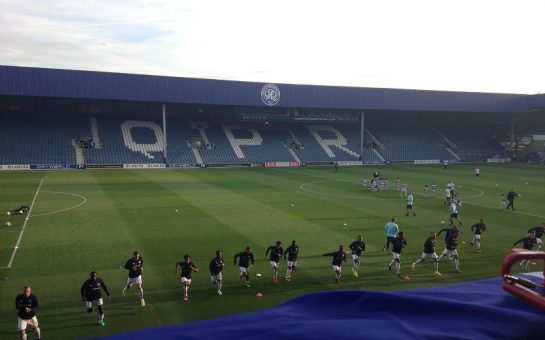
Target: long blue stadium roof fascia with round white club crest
column 42, row 82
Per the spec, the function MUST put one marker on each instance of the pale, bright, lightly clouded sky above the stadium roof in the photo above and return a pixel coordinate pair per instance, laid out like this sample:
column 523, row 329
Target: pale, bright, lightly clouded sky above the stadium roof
column 458, row 45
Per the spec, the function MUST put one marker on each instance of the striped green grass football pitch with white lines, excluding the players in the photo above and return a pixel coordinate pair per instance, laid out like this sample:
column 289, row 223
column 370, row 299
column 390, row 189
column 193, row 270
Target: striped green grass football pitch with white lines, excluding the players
column 93, row 220
